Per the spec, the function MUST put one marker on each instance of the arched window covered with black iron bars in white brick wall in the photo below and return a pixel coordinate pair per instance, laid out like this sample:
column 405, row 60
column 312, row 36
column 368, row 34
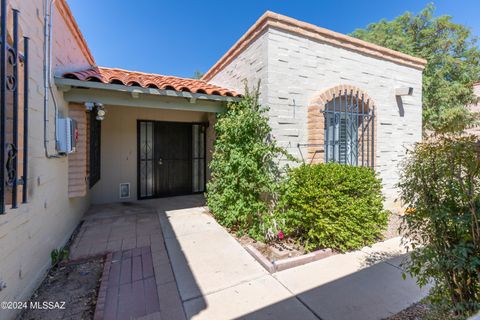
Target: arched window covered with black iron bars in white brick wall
column 349, row 136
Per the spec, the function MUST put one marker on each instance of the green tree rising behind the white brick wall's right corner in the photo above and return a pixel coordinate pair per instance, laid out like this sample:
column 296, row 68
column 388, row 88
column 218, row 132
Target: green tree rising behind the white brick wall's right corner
column 453, row 62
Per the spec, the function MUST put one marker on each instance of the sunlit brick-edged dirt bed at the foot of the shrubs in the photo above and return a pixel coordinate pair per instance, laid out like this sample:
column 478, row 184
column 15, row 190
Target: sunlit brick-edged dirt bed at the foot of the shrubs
column 274, row 251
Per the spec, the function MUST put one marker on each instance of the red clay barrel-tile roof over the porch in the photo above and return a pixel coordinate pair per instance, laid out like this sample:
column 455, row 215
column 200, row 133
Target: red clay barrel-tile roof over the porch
column 149, row 80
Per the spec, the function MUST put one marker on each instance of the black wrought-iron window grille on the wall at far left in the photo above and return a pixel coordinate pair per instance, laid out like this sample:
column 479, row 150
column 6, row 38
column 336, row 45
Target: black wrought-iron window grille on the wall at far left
column 12, row 61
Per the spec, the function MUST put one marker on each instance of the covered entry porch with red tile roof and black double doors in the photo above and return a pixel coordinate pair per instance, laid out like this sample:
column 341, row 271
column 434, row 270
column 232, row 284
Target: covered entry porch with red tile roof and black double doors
column 154, row 139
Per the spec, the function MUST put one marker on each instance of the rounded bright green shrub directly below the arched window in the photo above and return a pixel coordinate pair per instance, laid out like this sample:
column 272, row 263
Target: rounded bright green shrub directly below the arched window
column 332, row 206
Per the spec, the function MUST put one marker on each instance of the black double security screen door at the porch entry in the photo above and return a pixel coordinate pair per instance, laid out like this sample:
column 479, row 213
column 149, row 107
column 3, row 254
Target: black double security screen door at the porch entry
column 171, row 158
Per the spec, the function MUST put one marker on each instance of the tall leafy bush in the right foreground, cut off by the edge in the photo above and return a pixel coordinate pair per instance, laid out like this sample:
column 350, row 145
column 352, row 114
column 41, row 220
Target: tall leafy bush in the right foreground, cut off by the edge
column 441, row 186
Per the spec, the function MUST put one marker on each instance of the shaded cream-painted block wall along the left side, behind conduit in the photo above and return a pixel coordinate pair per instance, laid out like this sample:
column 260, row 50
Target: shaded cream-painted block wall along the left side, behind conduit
column 28, row 234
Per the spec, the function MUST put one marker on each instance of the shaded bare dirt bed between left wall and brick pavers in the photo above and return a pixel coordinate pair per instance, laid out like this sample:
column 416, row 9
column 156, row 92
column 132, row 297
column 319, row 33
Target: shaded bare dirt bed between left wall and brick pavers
column 75, row 284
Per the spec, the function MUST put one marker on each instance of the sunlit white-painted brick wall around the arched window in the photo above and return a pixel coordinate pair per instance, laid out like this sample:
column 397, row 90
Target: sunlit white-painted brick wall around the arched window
column 299, row 68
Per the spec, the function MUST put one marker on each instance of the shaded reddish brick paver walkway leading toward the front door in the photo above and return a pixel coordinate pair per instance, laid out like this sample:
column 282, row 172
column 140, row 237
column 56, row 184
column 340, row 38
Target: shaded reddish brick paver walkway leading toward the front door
column 138, row 282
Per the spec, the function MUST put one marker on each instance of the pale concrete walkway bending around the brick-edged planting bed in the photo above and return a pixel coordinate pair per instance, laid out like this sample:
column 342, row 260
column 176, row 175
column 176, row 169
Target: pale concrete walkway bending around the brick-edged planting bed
column 218, row 279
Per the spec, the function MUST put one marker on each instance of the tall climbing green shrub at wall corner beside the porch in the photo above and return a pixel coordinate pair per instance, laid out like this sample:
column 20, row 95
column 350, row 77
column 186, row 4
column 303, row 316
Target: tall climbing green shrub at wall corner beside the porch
column 244, row 167
